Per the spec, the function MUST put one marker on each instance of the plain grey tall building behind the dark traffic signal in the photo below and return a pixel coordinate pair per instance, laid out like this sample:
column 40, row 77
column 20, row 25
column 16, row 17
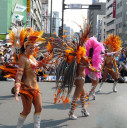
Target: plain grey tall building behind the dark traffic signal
column 92, row 18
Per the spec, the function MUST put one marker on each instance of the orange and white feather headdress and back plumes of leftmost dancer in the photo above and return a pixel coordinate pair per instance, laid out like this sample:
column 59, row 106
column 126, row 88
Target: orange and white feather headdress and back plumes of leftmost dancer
column 18, row 38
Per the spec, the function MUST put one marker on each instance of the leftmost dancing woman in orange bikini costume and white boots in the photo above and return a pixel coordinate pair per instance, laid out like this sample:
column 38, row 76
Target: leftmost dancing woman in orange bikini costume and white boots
column 26, row 79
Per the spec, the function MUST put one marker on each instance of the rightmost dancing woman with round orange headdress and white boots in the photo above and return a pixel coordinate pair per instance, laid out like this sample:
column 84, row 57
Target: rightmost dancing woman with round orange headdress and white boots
column 113, row 44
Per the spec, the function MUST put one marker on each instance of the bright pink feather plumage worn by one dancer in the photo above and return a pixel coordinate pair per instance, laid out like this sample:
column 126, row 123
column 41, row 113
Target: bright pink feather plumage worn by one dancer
column 97, row 58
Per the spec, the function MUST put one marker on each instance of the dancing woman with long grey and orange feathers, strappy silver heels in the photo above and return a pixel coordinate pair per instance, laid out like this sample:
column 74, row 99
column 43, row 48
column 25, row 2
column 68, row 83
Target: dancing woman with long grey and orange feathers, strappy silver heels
column 71, row 71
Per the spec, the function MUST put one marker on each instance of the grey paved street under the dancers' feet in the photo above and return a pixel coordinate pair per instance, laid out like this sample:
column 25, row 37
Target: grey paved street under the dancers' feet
column 109, row 110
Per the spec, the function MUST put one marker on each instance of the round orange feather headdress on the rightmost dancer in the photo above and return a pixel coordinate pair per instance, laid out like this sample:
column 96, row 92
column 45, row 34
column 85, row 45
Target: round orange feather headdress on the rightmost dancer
column 113, row 42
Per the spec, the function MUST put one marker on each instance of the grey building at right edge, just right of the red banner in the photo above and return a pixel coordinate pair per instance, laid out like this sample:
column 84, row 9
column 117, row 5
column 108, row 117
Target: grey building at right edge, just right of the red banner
column 121, row 20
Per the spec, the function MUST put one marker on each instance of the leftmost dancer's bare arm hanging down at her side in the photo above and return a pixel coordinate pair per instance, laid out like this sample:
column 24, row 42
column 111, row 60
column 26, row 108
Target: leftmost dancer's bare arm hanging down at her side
column 19, row 77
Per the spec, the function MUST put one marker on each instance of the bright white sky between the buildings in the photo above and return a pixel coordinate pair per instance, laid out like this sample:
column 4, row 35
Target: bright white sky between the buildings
column 72, row 15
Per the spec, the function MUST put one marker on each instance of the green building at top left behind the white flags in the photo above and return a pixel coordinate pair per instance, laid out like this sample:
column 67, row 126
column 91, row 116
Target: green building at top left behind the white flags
column 7, row 10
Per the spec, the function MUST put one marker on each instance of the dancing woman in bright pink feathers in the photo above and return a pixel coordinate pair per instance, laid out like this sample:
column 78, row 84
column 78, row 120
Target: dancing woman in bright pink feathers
column 94, row 50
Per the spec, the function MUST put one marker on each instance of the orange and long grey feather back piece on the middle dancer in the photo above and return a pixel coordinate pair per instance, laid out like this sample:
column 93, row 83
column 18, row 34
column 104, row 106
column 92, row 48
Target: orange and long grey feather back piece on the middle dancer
column 67, row 55
